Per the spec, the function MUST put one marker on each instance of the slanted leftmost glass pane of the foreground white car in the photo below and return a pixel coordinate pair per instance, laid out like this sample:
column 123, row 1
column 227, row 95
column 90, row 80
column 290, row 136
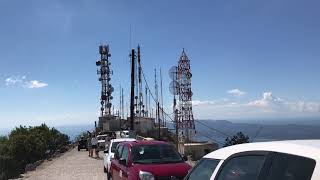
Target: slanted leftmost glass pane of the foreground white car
column 203, row 169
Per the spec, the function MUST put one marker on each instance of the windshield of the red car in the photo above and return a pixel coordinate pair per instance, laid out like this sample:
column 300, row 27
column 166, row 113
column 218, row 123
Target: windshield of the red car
column 157, row 153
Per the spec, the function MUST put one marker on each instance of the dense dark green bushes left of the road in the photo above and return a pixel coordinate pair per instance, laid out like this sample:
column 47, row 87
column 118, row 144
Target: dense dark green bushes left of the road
column 25, row 145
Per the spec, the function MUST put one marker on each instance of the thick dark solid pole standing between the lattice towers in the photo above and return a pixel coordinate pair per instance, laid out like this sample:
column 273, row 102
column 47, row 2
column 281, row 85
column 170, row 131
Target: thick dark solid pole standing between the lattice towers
column 132, row 90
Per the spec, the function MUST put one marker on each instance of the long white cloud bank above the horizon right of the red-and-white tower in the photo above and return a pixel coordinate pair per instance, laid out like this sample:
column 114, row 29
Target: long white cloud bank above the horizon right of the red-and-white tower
column 268, row 106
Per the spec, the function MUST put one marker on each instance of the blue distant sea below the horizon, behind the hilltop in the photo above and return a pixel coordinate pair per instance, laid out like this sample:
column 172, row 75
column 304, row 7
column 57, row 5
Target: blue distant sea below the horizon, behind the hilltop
column 257, row 130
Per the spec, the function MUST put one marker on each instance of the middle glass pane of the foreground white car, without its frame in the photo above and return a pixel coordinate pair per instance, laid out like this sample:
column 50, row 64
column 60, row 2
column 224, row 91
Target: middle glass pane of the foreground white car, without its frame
column 242, row 168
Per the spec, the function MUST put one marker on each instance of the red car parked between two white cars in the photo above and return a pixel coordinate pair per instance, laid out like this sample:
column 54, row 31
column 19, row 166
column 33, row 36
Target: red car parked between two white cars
column 148, row 160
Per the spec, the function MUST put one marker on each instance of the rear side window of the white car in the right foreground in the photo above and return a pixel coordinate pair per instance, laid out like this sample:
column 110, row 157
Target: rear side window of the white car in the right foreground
column 290, row 167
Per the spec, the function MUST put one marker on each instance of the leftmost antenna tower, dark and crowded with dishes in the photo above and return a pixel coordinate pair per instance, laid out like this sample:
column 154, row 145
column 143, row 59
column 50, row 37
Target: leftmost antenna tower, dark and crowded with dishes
column 105, row 72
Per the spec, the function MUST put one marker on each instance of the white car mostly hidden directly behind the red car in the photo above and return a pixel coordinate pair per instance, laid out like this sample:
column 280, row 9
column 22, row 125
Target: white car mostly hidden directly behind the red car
column 109, row 152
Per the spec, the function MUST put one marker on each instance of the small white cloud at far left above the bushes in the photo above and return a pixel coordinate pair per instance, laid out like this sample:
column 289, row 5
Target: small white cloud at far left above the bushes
column 21, row 81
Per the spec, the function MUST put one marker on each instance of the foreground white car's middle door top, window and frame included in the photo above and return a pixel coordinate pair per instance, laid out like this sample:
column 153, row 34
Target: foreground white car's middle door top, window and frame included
column 244, row 166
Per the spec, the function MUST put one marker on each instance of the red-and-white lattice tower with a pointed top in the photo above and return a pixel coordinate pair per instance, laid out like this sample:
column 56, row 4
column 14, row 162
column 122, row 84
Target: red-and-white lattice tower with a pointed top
column 185, row 114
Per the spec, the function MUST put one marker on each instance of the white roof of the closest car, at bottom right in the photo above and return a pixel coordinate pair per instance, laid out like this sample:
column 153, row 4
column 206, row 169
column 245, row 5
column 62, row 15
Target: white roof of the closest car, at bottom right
column 305, row 148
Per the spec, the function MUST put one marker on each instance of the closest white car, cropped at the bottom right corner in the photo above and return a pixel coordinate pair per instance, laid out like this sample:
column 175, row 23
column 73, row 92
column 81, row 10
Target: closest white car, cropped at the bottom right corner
column 277, row 160
